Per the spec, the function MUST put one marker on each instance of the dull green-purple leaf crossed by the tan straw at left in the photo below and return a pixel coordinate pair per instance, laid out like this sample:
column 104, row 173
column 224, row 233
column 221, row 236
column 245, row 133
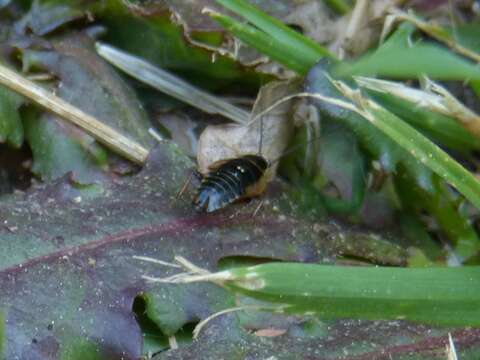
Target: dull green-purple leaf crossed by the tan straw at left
column 87, row 82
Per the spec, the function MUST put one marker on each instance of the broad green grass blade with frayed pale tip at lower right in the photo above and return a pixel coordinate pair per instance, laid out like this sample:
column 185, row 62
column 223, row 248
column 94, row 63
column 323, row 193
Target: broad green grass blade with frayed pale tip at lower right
column 440, row 296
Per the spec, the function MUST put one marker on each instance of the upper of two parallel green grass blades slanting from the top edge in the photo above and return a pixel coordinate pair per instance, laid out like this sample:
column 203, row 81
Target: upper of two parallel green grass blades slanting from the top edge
column 277, row 30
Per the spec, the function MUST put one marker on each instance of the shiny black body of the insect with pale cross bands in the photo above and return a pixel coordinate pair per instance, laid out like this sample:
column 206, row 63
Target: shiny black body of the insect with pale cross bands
column 231, row 180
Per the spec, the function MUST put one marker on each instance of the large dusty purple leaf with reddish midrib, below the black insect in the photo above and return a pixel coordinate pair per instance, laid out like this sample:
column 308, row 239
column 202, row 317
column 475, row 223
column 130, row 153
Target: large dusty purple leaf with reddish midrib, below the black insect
column 74, row 248
